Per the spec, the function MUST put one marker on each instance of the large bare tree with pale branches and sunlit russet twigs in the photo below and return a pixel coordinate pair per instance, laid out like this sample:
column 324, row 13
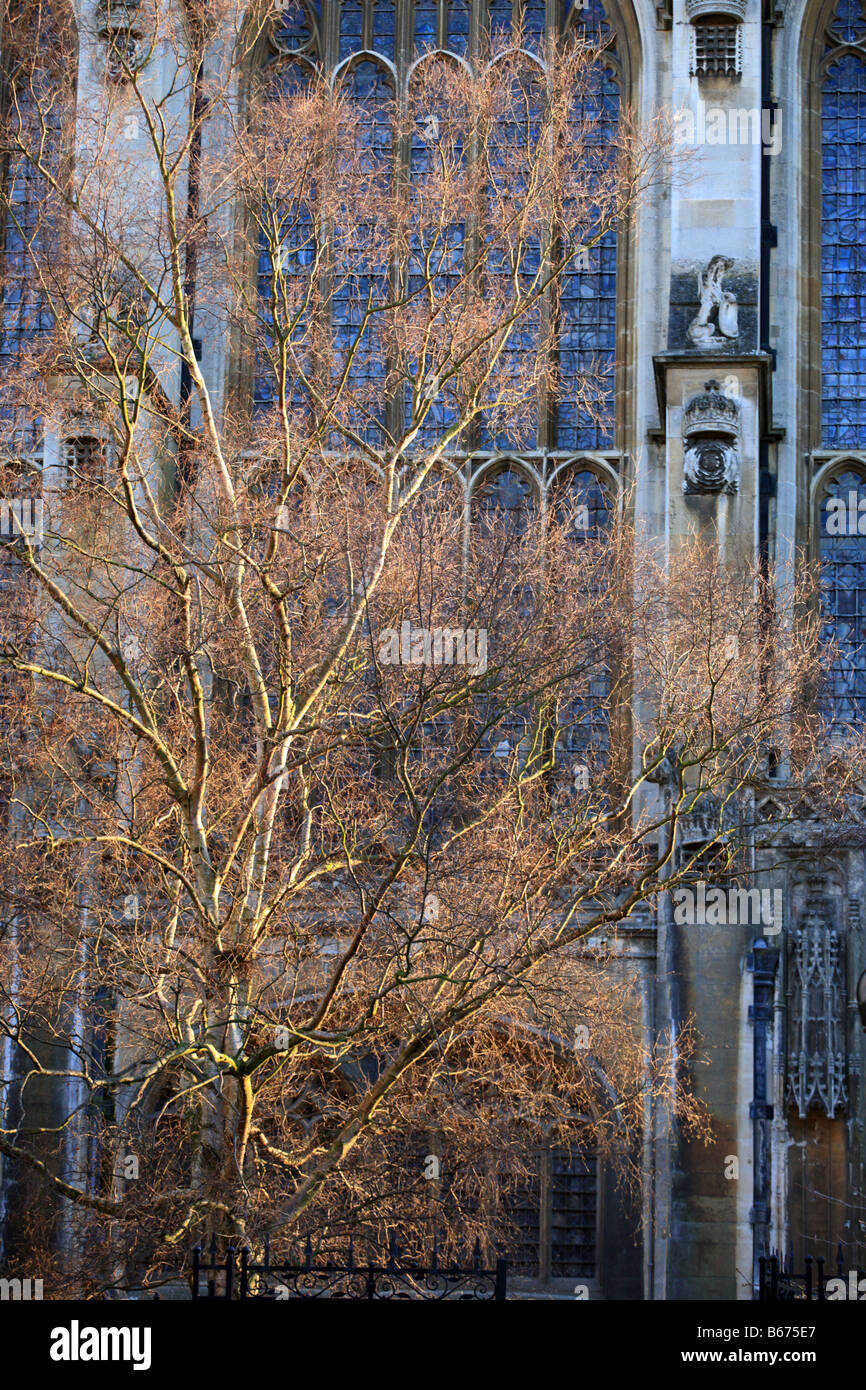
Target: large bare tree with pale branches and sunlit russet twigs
column 326, row 792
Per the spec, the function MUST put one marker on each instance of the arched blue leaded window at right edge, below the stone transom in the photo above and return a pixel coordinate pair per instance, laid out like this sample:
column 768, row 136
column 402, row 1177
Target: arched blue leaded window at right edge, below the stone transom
column 843, row 554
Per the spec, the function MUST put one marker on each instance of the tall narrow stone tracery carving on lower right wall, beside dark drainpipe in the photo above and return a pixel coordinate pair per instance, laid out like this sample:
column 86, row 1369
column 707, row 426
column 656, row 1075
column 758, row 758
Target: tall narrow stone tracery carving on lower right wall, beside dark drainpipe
column 817, row 1010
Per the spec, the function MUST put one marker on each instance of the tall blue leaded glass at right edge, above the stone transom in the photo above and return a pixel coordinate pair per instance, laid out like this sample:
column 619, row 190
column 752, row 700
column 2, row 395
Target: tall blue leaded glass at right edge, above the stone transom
column 844, row 255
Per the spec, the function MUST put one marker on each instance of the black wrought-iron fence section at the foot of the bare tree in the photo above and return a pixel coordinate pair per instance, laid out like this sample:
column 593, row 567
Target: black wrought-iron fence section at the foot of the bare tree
column 240, row 1275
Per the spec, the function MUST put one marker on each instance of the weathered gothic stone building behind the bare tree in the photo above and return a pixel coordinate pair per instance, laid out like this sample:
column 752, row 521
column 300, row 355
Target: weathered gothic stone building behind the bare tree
column 733, row 318
